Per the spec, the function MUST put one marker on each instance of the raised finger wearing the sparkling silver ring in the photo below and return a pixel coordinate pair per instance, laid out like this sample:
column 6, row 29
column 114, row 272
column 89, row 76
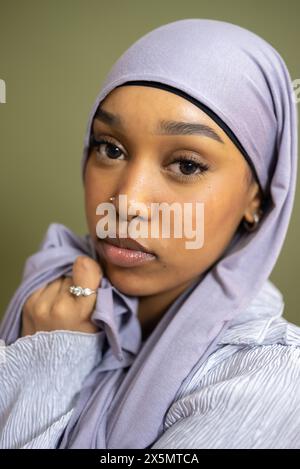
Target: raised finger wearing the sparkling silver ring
column 87, row 273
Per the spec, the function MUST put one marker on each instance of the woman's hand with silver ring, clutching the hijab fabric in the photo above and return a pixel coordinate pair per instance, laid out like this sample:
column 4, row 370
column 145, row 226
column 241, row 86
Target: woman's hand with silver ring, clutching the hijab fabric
column 53, row 307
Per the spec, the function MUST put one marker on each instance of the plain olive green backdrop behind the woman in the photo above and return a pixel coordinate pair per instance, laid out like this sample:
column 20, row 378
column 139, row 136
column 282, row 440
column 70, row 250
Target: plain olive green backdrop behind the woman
column 54, row 56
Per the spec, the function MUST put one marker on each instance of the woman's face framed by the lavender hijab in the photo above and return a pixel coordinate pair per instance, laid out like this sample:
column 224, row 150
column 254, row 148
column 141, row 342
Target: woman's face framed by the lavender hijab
column 141, row 162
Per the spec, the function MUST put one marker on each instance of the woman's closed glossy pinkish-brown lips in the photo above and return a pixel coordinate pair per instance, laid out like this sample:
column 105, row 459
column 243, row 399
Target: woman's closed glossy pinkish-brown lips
column 121, row 256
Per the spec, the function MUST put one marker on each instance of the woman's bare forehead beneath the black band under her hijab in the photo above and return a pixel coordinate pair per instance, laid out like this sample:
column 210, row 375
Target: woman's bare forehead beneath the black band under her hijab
column 162, row 111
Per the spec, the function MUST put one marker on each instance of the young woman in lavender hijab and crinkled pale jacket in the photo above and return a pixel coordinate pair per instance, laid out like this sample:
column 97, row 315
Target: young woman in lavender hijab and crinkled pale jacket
column 146, row 343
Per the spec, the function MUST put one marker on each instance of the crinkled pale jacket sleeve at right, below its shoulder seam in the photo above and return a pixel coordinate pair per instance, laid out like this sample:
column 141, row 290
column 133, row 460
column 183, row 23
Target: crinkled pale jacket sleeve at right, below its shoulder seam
column 248, row 397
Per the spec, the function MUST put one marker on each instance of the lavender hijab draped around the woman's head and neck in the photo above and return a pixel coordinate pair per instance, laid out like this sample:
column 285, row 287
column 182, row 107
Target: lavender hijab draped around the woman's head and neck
column 244, row 81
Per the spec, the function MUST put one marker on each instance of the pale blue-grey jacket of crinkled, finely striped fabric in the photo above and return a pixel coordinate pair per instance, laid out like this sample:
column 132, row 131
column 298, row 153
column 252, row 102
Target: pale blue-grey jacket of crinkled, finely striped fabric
column 245, row 395
